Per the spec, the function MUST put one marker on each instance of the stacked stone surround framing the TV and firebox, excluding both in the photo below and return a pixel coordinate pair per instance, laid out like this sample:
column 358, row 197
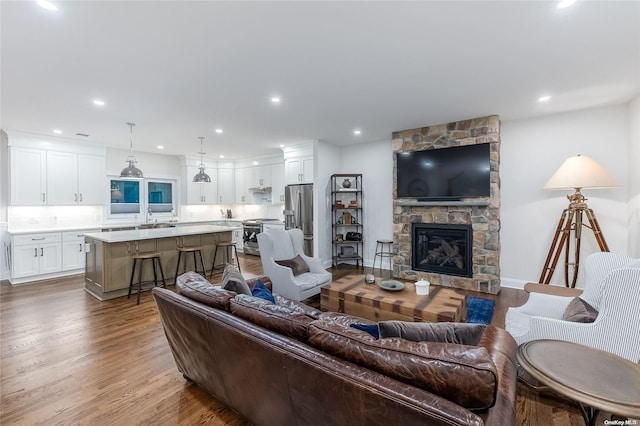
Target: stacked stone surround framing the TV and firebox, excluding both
column 482, row 214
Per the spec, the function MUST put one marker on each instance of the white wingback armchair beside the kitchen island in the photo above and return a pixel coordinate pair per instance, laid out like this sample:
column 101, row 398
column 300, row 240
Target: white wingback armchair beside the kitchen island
column 277, row 244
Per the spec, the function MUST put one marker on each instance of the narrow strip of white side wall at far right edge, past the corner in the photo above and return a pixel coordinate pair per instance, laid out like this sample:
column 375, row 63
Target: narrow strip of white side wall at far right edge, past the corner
column 634, row 178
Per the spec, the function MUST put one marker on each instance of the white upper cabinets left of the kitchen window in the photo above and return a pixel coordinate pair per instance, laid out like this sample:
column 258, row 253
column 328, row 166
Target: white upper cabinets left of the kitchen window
column 70, row 175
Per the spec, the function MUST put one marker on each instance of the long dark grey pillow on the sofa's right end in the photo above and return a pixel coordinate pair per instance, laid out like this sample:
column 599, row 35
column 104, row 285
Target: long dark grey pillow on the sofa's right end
column 443, row 332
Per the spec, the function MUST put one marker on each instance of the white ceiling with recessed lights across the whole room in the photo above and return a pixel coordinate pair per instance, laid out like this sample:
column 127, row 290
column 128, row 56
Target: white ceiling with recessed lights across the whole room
column 179, row 69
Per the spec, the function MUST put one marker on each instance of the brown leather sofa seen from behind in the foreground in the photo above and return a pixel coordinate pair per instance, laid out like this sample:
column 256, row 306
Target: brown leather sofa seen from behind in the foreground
column 284, row 364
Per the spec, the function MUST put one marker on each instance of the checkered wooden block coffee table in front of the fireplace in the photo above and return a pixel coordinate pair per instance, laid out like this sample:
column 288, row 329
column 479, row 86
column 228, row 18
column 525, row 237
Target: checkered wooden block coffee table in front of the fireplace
column 351, row 295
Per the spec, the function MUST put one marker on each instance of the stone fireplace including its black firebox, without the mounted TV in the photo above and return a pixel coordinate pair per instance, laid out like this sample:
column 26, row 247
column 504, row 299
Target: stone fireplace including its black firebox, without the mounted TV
column 480, row 216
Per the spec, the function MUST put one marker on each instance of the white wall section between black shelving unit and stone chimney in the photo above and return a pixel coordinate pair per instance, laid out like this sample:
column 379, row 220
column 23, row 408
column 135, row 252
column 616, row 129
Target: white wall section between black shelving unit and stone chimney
column 375, row 161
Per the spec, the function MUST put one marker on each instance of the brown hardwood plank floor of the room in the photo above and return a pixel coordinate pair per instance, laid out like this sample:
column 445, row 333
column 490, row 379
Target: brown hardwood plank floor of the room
column 67, row 358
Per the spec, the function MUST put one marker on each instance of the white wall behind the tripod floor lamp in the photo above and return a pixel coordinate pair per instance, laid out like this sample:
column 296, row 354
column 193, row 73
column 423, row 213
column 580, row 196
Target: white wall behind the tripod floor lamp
column 531, row 151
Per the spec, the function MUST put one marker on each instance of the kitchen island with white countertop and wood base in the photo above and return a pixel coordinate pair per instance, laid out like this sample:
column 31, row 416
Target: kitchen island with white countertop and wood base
column 109, row 262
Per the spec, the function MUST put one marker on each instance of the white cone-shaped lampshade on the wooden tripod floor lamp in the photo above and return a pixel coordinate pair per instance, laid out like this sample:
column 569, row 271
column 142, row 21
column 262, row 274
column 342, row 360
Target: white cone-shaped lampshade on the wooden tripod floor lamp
column 581, row 172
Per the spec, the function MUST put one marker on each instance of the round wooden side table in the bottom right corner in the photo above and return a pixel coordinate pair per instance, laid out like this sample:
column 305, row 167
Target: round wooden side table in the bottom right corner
column 596, row 379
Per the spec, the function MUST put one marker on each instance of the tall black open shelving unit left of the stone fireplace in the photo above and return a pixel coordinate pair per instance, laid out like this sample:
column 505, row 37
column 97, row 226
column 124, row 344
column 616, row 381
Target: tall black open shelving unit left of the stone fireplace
column 346, row 218
